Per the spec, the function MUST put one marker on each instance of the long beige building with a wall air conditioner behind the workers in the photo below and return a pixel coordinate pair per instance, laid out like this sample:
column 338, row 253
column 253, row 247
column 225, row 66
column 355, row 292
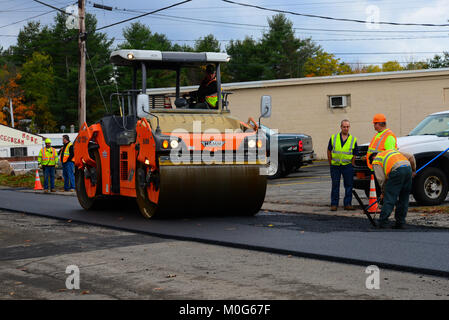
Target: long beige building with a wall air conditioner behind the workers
column 304, row 105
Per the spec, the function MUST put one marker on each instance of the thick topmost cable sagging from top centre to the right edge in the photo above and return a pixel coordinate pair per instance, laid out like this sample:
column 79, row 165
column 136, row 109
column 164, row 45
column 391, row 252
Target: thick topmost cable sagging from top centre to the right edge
column 336, row 19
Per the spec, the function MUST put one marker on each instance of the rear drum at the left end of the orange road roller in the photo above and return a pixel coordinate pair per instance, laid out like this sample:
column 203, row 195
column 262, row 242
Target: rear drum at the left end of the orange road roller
column 86, row 192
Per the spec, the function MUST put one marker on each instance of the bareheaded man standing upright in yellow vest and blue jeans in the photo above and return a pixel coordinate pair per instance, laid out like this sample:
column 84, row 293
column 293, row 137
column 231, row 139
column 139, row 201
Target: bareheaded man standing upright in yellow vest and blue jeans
column 340, row 153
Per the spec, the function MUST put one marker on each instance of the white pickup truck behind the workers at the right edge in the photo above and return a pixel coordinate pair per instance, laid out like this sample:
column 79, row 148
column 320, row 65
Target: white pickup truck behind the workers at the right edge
column 426, row 141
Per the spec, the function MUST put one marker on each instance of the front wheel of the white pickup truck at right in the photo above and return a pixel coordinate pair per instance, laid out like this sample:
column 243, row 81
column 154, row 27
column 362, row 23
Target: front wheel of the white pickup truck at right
column 430, row 187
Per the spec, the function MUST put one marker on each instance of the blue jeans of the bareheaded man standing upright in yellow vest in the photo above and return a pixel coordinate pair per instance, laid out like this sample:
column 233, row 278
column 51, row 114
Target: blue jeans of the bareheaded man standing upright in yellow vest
column 347, row 172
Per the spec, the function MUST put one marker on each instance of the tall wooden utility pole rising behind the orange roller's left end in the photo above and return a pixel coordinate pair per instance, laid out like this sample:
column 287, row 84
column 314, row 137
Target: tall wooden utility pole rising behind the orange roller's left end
column 82, row 65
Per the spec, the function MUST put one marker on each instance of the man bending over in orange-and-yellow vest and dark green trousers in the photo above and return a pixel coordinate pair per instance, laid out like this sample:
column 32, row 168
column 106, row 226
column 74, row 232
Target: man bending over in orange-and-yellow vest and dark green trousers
column 394, row 171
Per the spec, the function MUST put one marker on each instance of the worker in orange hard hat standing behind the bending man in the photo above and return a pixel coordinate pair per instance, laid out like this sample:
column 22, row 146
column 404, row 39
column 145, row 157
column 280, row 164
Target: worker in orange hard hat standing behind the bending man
column 384, row 140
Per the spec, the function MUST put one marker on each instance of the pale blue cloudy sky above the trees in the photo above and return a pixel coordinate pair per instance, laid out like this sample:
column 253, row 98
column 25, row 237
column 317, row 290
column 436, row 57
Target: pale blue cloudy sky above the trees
column 354, row 43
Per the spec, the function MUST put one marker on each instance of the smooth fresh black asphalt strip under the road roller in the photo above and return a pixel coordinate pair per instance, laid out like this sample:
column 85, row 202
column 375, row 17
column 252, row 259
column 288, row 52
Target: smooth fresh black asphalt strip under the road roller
column 341, row 239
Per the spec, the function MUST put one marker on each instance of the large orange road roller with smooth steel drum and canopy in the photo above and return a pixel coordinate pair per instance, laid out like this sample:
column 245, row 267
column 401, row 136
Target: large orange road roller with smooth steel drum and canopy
column 174, row 155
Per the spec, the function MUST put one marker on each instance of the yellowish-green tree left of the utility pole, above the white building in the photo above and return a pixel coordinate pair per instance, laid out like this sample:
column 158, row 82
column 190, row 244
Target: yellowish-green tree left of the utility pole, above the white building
column 37, row 82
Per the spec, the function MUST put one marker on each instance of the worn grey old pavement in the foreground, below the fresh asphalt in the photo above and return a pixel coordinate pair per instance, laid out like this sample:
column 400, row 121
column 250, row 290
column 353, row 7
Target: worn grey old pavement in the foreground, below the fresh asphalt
column 114, row 264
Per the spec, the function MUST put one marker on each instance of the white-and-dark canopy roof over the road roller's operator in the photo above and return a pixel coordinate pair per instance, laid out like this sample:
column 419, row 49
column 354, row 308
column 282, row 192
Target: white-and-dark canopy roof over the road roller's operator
column 166, row 59
